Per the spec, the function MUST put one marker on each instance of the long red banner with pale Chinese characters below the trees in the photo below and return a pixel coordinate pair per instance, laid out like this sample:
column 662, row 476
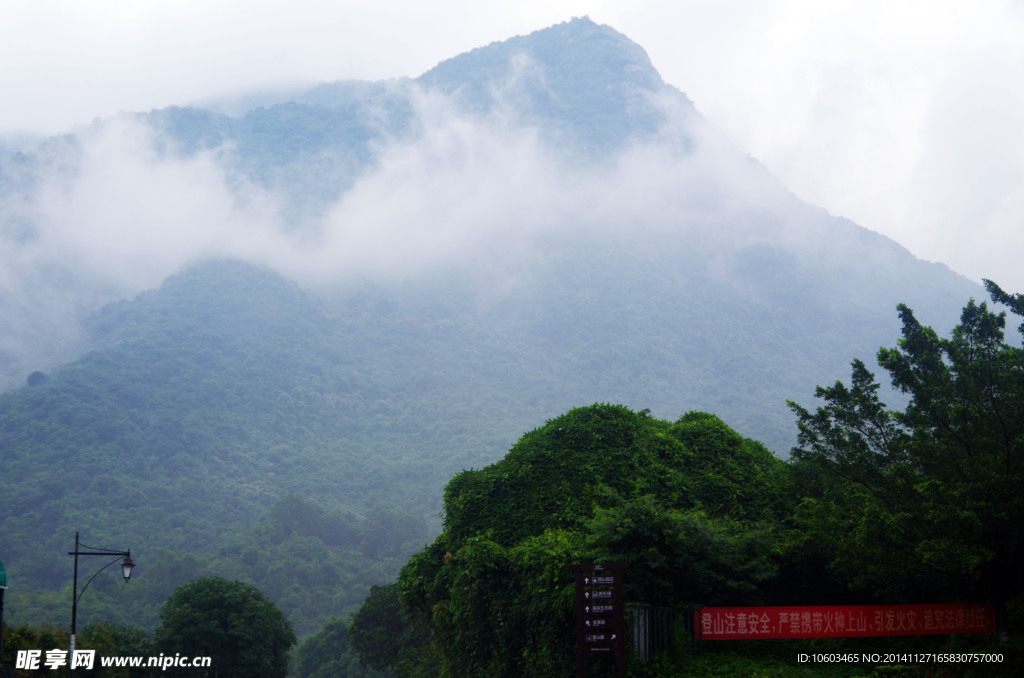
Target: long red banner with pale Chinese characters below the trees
column 843, row 621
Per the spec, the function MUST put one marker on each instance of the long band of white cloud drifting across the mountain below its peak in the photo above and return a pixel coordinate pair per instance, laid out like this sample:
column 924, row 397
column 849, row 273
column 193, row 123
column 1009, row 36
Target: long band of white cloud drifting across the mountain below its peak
column 470, row 192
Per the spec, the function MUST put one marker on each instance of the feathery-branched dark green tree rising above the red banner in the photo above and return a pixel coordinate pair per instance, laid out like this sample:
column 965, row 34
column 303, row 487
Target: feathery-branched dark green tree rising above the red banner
column 926, row 502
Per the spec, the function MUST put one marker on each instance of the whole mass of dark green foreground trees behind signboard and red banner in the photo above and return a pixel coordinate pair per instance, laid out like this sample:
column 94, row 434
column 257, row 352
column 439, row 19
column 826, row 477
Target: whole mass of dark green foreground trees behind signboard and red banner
column 915, row 505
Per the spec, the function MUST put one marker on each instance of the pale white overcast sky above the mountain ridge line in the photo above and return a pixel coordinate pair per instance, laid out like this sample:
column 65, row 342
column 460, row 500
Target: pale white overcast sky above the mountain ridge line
column 907, row 117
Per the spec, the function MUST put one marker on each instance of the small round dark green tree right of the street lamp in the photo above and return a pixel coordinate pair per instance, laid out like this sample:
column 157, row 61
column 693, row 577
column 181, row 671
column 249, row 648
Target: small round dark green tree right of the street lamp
column 233, row 623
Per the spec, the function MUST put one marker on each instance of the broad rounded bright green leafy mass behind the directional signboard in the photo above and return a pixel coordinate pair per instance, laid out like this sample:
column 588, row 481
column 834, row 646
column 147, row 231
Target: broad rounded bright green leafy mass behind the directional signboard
column 692, row 503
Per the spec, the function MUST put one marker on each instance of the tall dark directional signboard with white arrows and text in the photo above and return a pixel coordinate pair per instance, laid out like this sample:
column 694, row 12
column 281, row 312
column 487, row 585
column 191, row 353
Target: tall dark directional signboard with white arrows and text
column 601, row 614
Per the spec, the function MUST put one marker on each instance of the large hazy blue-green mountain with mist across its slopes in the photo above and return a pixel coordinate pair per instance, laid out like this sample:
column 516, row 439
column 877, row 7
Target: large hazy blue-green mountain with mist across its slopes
column 257, row 340
